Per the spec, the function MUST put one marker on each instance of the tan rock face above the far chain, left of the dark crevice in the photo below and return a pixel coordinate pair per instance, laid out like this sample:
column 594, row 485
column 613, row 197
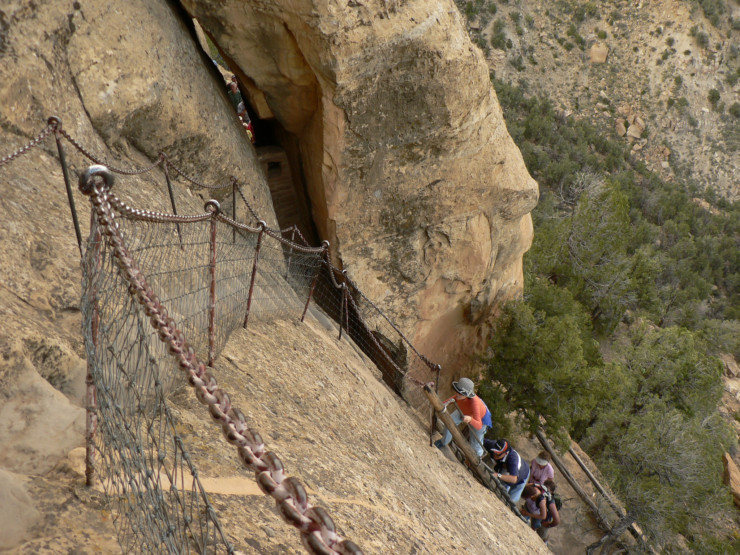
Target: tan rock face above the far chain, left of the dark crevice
column 126, row 79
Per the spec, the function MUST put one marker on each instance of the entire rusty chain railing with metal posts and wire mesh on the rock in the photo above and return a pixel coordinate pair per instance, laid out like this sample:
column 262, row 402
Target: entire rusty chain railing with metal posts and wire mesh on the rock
column 213, row 275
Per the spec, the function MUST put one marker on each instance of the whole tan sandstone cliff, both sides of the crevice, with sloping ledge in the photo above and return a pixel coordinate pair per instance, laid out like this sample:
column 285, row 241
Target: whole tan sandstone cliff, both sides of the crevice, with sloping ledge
column 128, row 81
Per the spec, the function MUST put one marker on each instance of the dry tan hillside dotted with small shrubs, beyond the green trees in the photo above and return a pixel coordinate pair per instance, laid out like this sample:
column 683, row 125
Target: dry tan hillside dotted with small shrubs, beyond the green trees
column 668, row 68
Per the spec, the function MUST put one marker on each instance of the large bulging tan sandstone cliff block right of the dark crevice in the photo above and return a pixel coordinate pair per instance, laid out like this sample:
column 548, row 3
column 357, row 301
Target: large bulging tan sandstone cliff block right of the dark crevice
column 412, row 175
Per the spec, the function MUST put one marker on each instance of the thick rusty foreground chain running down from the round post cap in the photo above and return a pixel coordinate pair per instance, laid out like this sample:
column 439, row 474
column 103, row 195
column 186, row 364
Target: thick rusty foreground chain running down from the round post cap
column 318, row 532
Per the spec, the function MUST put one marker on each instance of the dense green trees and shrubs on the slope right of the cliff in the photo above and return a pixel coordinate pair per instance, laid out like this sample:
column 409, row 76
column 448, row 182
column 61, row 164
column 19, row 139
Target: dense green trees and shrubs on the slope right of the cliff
column 631, row 289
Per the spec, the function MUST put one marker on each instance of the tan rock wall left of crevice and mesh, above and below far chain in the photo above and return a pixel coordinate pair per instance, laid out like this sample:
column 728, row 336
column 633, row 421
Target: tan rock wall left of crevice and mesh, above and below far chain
column 128, row 81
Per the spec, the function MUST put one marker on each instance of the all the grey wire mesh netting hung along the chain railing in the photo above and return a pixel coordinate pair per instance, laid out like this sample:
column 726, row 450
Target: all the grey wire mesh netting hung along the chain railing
column 213, row 276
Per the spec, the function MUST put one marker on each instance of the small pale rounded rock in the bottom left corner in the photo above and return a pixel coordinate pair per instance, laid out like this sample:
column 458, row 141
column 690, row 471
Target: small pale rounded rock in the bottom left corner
column 18, row 512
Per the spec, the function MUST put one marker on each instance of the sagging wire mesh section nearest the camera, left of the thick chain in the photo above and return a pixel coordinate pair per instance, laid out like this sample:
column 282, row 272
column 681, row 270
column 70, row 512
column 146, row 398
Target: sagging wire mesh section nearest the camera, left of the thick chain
column 158, row 504
